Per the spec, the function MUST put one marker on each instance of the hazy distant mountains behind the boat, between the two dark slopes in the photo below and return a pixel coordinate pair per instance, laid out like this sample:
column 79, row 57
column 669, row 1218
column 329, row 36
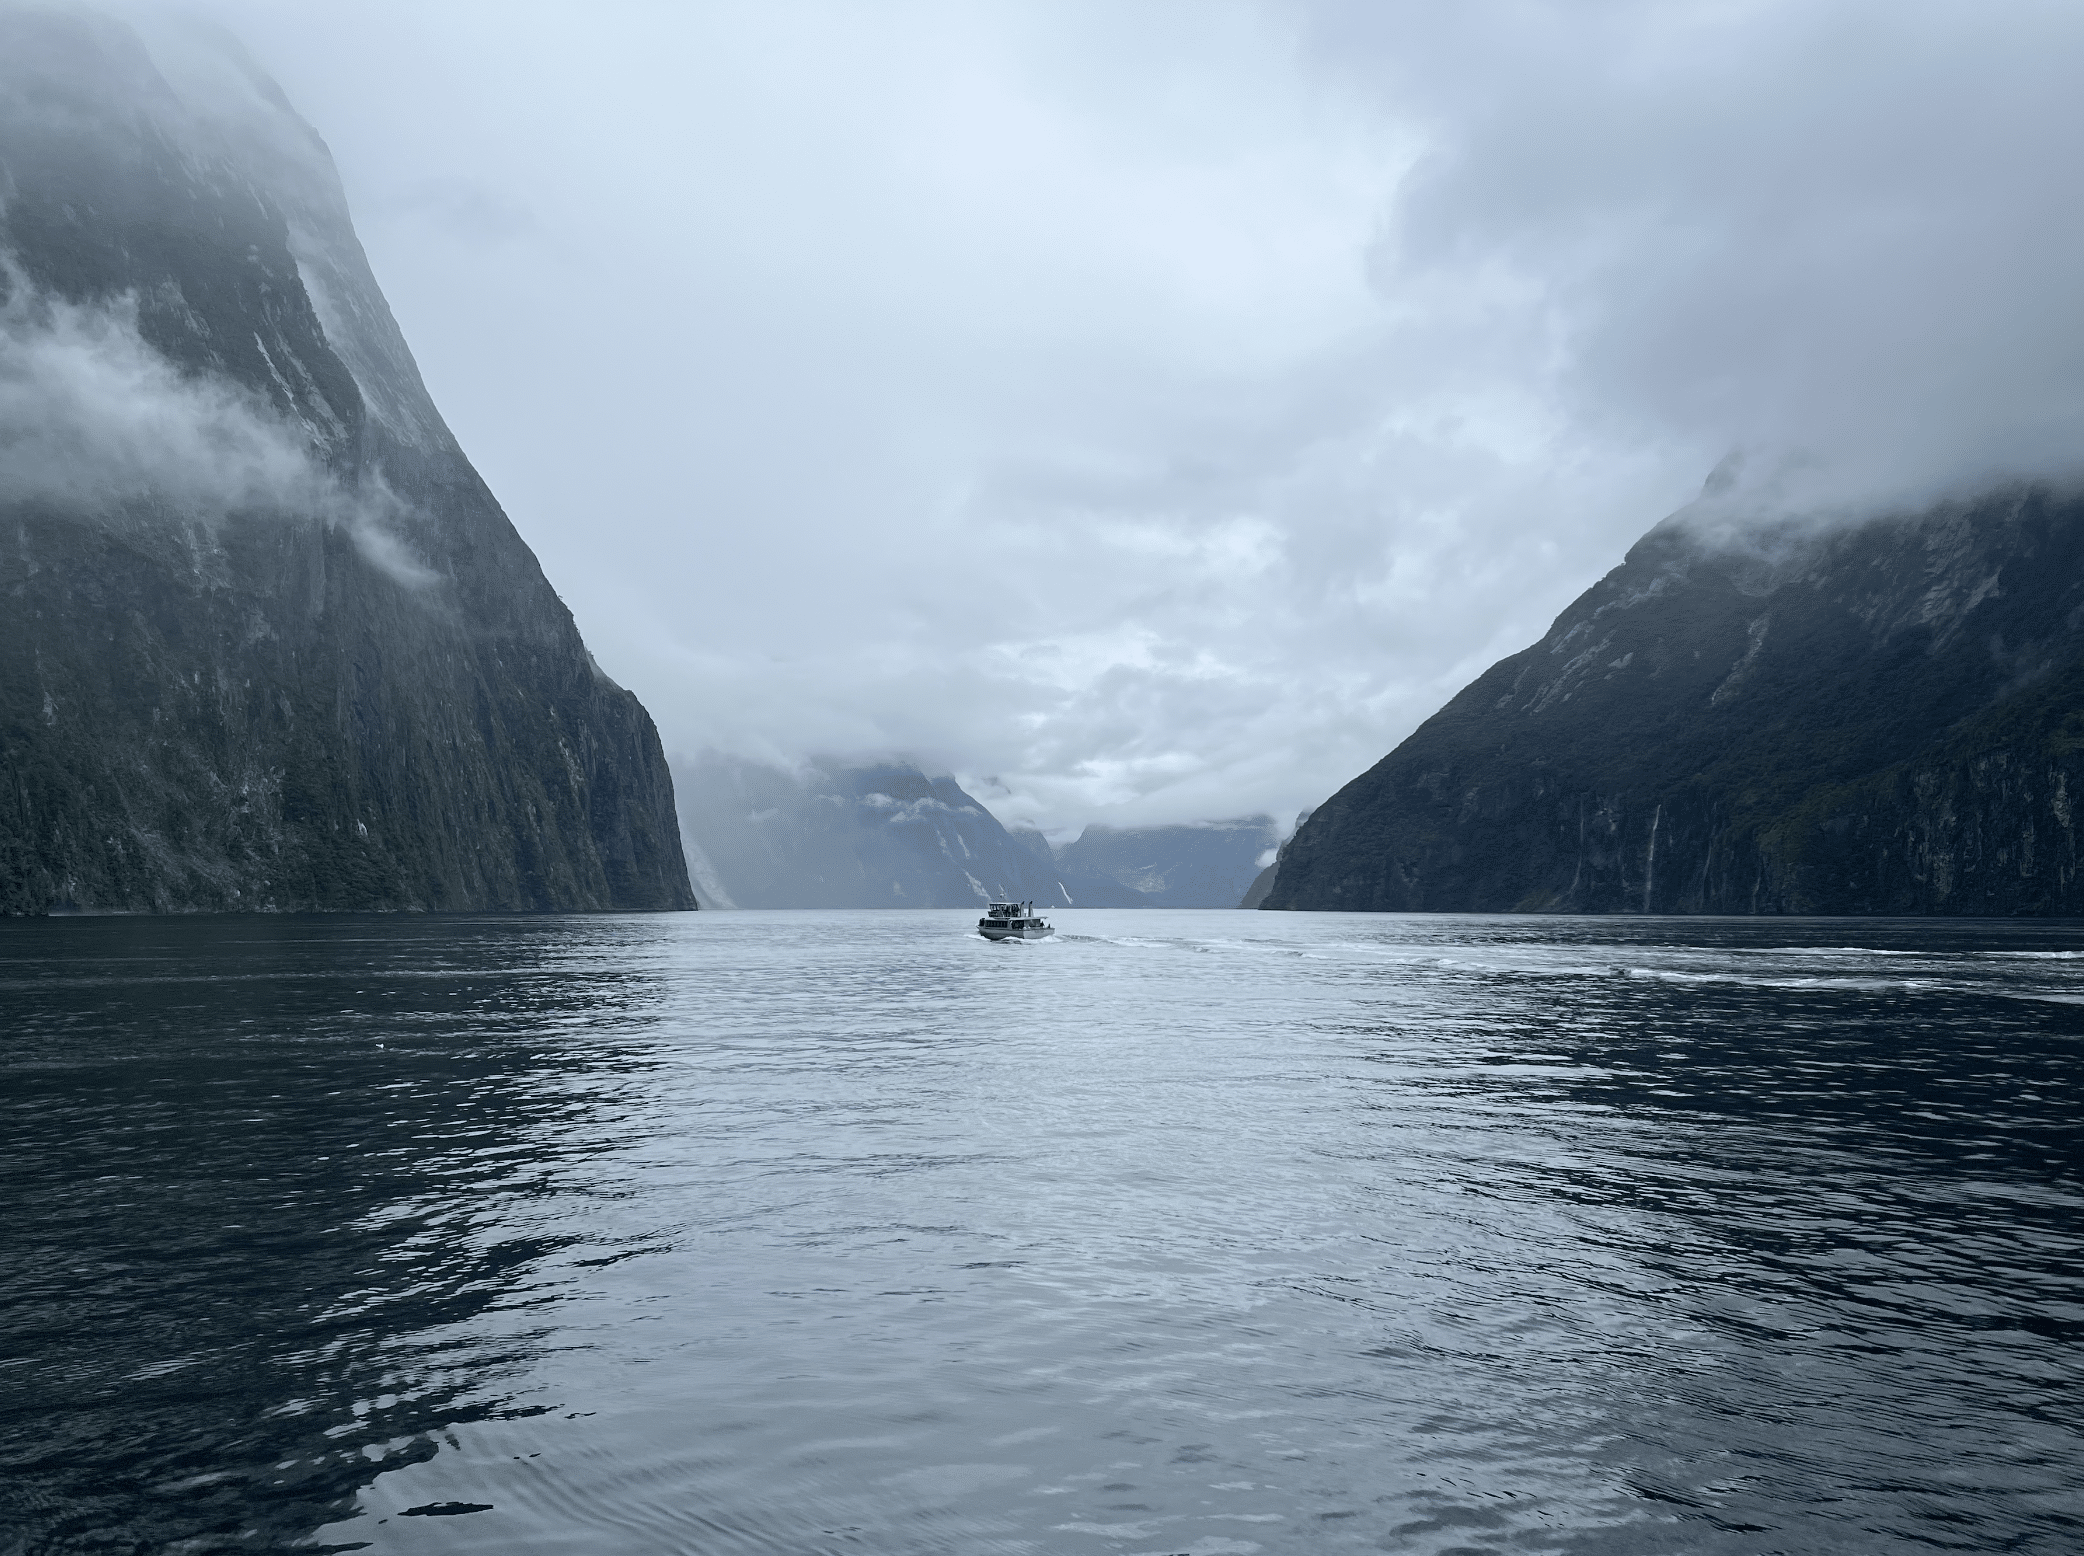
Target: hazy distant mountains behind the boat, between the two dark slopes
column 891, row 836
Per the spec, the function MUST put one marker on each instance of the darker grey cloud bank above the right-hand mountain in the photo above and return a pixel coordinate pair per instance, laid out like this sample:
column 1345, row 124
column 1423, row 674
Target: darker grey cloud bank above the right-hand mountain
column 1837, row 234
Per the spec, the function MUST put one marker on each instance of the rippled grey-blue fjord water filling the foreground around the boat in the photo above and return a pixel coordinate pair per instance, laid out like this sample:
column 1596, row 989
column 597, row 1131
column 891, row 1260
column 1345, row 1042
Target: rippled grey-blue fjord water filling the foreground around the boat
column 1185, row 1232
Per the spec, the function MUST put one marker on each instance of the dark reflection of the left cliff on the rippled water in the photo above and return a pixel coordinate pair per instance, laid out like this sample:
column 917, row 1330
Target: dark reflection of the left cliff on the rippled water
column 255, row 1168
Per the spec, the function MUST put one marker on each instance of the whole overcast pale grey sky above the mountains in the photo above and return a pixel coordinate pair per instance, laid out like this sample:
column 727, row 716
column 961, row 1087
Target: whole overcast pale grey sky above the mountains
column 1156, row 411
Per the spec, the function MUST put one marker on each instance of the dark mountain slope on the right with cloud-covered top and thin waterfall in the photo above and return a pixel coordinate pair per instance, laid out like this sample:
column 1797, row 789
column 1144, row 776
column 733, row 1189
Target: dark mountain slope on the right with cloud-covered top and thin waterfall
column 1872, row 720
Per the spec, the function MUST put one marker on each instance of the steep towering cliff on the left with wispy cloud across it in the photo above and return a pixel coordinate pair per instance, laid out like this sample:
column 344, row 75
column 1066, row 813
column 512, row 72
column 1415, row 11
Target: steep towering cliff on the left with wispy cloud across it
column 266, row 638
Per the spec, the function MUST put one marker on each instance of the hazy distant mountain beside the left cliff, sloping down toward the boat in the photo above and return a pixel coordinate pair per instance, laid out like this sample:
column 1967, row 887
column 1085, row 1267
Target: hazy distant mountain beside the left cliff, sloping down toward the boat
column 837, row 836
